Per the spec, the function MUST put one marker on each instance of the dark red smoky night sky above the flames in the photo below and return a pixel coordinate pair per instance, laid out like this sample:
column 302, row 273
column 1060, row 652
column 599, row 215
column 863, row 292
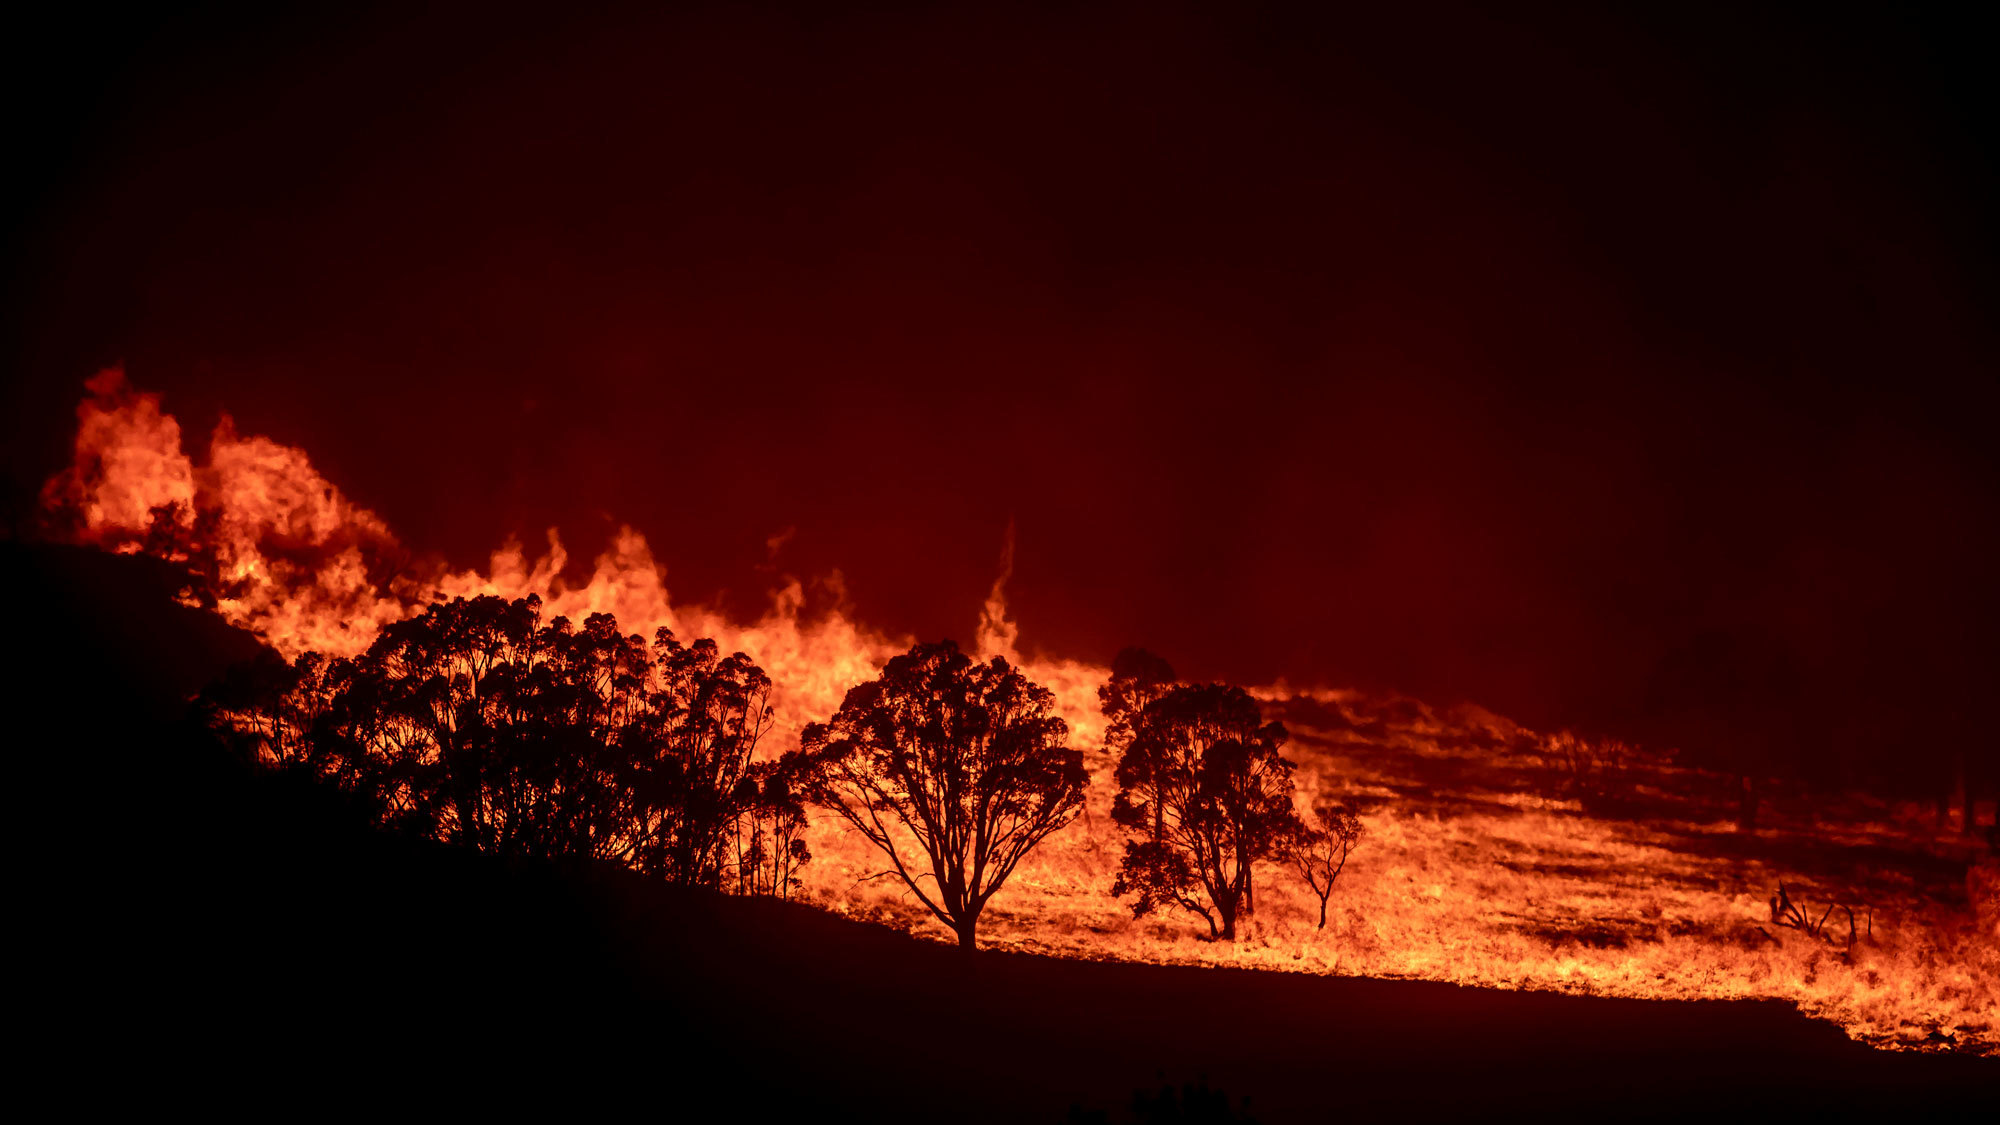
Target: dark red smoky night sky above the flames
column 1569, row 365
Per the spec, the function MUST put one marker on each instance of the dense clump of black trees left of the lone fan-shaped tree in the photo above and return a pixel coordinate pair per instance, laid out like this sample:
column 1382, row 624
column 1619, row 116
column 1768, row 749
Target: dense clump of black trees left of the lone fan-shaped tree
column 479, row 726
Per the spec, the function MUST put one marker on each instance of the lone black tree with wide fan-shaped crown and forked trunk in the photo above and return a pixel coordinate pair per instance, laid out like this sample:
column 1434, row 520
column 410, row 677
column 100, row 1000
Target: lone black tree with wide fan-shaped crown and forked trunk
column 953, row 770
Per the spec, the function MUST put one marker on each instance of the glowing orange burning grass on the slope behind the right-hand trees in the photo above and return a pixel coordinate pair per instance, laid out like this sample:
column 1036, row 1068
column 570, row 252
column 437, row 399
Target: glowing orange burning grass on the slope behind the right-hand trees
column 1489, row 884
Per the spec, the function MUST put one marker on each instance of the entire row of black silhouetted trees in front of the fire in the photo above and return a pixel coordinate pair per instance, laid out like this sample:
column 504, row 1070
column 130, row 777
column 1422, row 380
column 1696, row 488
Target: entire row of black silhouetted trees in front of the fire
column 483, row 726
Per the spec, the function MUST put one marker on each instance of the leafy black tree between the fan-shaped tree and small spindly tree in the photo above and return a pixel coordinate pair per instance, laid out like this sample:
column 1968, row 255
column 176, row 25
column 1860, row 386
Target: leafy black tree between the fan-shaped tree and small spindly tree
column 1209, row 778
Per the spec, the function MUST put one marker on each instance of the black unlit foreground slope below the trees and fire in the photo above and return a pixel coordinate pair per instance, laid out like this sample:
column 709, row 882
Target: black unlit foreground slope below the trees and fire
column 197, row 936
